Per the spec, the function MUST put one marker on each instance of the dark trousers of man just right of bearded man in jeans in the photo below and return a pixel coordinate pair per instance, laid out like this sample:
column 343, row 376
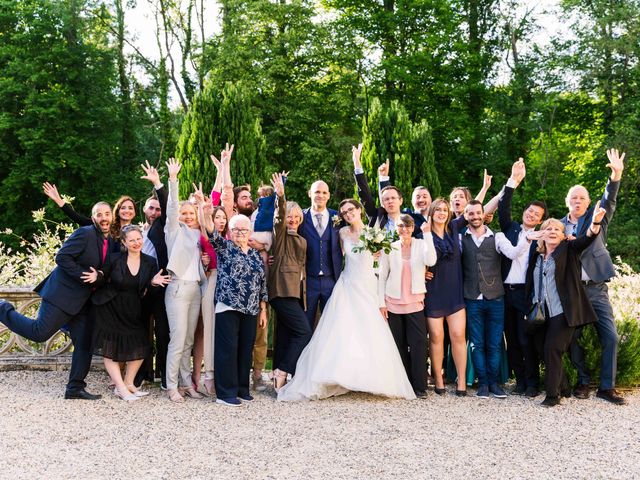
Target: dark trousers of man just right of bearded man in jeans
column 515, row 305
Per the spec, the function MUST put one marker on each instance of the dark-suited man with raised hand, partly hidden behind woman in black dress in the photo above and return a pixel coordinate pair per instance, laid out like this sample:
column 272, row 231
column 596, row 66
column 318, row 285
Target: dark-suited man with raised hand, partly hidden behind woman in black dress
column 153, row 307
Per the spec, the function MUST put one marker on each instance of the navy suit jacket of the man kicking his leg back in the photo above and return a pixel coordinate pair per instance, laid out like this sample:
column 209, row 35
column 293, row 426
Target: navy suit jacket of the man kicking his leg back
column 63, row 287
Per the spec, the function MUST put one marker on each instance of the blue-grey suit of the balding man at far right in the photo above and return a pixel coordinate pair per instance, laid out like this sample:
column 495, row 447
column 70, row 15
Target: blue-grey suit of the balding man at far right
column 597, row 263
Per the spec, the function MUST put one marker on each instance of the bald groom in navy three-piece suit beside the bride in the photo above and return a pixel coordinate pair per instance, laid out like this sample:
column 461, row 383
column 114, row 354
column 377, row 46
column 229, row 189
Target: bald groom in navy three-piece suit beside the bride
column 324, row 256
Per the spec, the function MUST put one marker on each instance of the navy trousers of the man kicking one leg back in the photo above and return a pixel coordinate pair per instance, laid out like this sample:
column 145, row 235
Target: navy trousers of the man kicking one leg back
column 50, row 320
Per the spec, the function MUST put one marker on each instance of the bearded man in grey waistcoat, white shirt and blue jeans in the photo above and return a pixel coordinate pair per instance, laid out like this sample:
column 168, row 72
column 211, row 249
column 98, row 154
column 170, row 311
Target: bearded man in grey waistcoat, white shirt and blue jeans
column 484, row 295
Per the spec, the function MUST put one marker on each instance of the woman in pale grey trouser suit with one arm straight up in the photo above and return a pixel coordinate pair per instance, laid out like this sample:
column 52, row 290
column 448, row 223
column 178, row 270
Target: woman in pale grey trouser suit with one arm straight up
column 183, row 296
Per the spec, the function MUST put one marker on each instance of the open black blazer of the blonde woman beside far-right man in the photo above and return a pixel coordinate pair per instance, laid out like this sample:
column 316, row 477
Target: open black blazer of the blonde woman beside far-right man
column 575, row 303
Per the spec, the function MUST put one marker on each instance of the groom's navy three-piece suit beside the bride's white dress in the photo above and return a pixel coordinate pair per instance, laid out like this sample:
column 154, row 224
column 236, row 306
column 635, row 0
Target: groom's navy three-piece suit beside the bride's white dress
column 324, row 262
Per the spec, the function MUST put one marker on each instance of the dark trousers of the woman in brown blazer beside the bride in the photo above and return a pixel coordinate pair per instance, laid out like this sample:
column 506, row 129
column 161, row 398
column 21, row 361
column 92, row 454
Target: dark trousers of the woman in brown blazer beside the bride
column 293, row 332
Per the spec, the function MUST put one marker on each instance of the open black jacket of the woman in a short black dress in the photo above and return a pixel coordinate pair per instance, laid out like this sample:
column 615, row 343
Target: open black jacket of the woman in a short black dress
column 114, row 271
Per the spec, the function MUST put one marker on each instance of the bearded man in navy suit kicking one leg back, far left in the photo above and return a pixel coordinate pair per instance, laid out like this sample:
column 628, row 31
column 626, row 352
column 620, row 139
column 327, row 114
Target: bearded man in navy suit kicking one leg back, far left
column 65, row 298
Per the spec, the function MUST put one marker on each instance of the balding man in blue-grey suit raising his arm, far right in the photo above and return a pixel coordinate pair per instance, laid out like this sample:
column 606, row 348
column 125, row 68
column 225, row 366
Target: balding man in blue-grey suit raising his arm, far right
column 597, row 270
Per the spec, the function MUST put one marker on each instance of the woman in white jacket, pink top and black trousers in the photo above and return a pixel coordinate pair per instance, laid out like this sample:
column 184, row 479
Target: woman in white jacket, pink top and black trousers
column 401, row 290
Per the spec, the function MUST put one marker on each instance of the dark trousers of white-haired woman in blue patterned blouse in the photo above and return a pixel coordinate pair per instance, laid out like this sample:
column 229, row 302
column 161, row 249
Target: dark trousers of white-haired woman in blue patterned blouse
column 234, row 338
